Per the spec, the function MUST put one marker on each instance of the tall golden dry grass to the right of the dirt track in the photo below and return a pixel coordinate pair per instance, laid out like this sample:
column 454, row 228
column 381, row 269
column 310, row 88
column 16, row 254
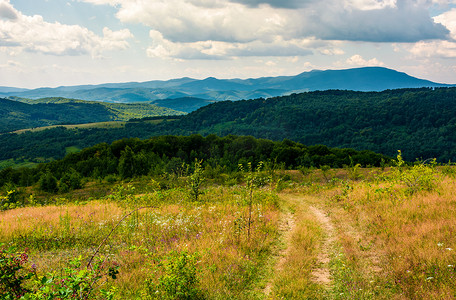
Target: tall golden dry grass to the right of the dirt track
column 397, row 242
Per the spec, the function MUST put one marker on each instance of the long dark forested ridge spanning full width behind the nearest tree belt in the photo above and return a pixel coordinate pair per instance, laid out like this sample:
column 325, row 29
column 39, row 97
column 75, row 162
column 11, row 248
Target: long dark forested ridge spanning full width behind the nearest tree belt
column 420, row 122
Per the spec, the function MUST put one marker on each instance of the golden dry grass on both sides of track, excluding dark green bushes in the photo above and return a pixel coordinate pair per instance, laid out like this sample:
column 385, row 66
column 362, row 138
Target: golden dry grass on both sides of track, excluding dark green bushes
column 388, row 243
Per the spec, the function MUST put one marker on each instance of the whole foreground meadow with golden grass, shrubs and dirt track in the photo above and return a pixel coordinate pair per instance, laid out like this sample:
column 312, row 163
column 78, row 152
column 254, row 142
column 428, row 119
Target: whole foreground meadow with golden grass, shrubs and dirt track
column 351, row 233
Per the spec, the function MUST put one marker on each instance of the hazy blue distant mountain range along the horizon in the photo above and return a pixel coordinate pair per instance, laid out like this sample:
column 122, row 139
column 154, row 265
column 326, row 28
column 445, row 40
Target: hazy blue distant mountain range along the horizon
column 202, row 92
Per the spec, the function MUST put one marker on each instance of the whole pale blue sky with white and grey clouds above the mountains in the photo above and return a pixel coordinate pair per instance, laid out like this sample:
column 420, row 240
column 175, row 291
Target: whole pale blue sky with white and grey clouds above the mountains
column 69, row 42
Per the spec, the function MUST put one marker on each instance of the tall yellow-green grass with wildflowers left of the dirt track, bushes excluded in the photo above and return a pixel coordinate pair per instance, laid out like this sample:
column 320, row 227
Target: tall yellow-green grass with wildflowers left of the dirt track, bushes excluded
column 230, row 265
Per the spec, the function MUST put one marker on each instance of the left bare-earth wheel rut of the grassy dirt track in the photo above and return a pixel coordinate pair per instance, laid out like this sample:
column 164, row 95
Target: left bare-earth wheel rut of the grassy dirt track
column 286, row 228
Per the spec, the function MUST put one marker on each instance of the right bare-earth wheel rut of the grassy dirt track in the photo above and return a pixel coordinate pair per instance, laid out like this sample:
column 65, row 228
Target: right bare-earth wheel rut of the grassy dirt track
column 322, row 274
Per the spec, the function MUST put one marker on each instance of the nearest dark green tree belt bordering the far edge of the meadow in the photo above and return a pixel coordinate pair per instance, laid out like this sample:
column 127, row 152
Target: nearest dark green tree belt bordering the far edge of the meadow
column 129, row 158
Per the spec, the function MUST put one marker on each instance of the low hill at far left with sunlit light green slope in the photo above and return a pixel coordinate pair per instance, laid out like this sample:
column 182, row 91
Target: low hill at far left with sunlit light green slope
column 27, row 113
